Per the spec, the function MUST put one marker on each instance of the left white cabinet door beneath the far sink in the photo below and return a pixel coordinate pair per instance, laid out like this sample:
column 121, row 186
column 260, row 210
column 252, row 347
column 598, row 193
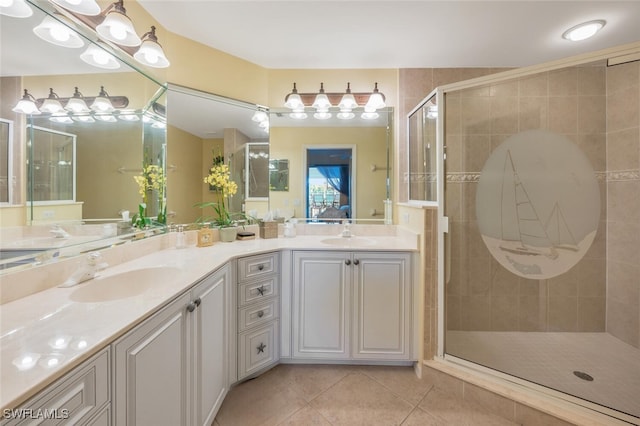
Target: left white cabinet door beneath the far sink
column 321, row 300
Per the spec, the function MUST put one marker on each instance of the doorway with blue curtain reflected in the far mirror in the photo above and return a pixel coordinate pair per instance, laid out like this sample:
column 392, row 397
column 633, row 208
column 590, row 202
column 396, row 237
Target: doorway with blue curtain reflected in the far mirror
column 329, row 185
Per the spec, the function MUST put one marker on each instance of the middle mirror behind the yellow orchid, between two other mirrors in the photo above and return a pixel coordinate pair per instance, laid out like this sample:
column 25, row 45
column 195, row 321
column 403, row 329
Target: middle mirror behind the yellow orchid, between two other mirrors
column 203, row 128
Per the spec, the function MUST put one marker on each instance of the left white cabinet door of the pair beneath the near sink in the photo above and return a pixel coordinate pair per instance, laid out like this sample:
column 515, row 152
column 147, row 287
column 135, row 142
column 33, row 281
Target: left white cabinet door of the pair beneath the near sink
column 151, row 370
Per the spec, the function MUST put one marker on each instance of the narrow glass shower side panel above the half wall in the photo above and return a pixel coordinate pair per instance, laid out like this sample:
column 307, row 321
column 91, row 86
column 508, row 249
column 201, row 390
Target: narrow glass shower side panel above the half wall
column 422, row 151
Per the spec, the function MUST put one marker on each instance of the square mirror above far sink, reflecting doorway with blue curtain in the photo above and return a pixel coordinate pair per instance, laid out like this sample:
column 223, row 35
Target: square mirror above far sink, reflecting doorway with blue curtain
column 337, row 169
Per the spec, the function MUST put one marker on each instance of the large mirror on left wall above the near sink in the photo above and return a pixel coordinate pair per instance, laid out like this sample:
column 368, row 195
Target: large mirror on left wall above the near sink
column 67, row 170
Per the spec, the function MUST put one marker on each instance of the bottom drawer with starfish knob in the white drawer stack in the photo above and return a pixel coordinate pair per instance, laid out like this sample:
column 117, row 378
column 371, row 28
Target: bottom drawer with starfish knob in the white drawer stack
column 258, row 349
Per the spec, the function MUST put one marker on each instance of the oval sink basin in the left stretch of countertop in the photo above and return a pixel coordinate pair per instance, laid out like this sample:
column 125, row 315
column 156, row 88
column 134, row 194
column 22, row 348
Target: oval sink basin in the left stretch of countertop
column 122, row 285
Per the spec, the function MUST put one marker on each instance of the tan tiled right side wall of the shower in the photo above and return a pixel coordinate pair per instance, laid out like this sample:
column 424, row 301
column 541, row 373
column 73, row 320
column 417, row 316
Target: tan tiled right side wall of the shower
column 623, row 205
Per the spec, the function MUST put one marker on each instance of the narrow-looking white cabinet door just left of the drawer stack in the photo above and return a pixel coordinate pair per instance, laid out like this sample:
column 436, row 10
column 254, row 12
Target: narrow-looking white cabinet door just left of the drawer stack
column 211, row 340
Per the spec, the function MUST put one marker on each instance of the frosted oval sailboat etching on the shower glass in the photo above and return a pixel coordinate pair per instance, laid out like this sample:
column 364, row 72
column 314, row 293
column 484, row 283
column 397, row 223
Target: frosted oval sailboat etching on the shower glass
column 537, row 204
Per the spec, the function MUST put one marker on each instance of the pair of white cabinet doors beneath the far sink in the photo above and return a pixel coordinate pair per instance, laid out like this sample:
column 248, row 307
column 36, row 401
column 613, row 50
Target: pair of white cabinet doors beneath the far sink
column 352, row 305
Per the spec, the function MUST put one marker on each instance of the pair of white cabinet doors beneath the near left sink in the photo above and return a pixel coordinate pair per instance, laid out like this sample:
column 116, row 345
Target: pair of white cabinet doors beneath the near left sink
column 172, row 368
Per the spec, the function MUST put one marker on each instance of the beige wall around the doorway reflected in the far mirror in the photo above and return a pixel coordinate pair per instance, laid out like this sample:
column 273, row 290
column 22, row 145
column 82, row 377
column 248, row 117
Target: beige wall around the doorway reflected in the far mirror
column 370, row 143
